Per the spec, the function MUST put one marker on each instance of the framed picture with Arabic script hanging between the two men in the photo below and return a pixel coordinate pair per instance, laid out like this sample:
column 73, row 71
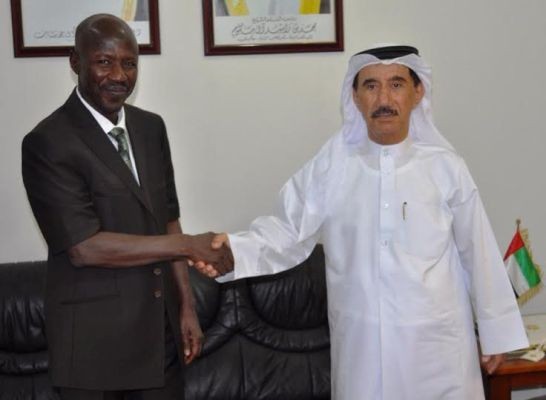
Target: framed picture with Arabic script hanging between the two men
column 272, row 26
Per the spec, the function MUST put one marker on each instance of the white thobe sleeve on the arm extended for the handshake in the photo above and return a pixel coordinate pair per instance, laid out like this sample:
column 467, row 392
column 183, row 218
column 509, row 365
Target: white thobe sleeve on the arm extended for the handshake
column 280, row 241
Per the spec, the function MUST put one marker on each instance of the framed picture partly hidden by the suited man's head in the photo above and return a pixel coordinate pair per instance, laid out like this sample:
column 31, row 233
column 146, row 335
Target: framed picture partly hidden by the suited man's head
column 43, row 28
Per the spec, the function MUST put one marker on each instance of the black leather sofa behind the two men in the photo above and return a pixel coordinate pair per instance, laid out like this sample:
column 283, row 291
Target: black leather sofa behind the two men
column 265, row 338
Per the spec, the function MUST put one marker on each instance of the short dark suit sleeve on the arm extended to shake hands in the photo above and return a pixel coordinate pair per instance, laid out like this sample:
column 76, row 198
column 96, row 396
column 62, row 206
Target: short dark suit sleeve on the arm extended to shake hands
column 57, row 193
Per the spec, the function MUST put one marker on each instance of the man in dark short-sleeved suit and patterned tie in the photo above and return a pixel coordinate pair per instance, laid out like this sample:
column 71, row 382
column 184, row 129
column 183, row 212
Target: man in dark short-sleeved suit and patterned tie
column 100, row 182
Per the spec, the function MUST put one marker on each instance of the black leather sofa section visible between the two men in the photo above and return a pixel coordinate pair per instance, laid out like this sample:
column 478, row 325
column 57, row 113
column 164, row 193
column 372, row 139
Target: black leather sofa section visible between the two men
column 265, row 338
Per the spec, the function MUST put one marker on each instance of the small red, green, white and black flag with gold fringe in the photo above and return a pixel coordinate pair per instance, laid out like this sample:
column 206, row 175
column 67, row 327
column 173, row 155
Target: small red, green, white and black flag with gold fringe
column 524, row 274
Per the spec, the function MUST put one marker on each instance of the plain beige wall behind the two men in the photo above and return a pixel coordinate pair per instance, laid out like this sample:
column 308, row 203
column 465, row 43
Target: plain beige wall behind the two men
column 241, row 125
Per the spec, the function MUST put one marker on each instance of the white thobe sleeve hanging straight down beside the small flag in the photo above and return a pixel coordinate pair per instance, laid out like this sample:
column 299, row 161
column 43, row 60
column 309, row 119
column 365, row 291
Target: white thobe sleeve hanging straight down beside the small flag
column 500, row 326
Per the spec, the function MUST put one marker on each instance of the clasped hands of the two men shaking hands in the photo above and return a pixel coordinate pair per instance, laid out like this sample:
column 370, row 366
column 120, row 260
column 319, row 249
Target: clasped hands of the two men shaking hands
column 209, row 253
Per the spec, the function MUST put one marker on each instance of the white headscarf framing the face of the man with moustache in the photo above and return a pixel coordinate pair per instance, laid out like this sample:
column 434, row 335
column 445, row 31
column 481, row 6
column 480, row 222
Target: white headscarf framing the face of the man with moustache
column 422, row 128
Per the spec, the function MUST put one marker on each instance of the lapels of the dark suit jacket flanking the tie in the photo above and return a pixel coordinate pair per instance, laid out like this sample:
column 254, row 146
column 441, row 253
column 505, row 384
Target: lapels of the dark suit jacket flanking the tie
column 93, row 136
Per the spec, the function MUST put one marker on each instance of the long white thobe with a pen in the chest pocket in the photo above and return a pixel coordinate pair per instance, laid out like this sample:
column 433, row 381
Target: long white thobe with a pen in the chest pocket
column 410, row 256
